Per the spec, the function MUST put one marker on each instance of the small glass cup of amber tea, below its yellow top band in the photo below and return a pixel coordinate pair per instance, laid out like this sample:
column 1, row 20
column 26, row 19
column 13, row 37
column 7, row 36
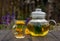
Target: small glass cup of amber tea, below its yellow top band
column 18, row 31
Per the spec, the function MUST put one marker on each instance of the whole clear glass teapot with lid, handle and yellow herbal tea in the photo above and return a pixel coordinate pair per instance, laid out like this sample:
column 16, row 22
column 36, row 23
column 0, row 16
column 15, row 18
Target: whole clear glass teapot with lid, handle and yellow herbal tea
column 38, row 25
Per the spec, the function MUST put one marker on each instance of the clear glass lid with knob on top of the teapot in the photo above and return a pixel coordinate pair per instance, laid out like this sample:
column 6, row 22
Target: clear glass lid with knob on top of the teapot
column 38, row 13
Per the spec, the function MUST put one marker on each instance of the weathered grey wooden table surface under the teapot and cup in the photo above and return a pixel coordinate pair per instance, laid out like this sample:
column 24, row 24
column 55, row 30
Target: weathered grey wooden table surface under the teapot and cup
column 7, row 35
